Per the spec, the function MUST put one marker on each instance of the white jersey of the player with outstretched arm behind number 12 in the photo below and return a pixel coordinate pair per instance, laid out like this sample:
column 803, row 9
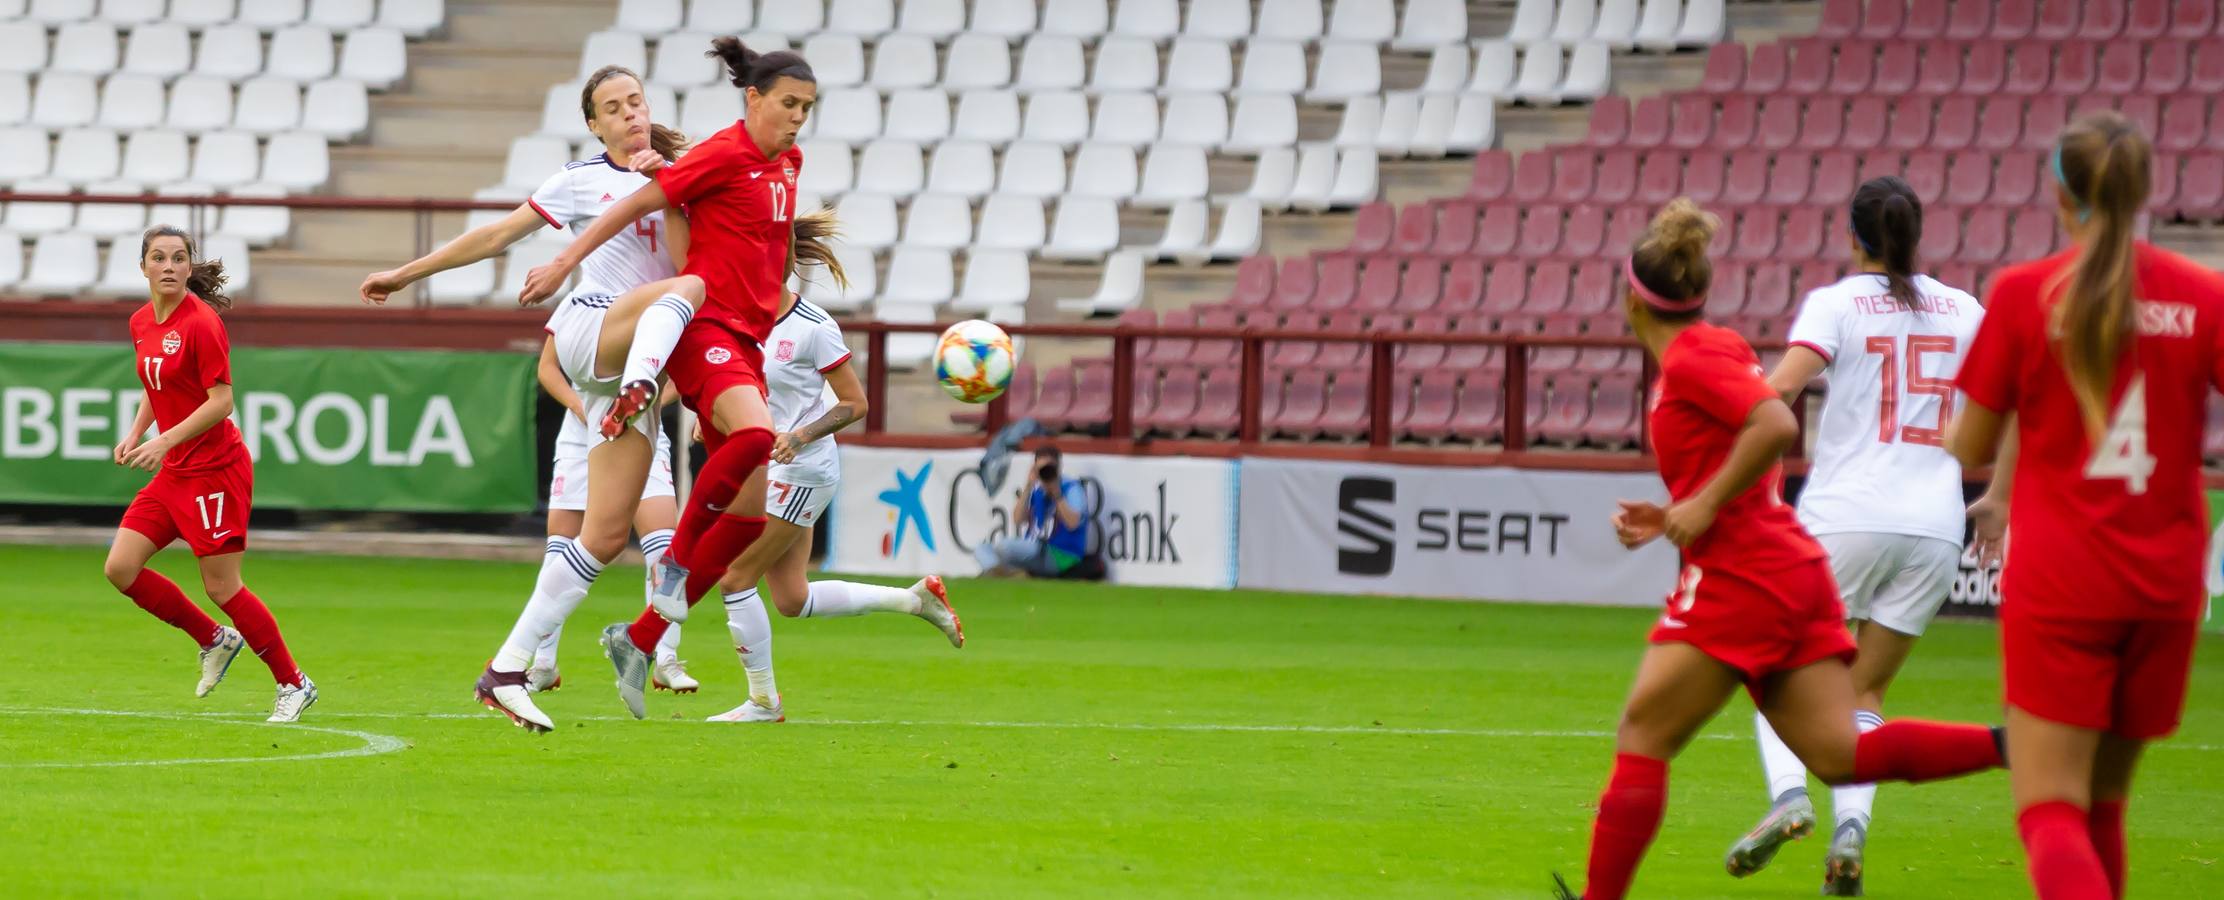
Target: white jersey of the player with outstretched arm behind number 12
column 586, row 190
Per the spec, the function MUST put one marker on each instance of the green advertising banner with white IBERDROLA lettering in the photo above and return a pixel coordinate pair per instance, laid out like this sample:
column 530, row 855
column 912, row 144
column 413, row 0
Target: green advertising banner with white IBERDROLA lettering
column 386, row 430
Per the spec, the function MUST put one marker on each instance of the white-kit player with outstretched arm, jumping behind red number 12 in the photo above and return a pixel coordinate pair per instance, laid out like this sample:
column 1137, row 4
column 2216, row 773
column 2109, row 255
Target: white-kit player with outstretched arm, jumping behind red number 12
column 586, row 343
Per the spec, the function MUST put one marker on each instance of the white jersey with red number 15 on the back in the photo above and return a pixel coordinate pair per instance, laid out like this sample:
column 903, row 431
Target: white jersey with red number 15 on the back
column 1880, row 459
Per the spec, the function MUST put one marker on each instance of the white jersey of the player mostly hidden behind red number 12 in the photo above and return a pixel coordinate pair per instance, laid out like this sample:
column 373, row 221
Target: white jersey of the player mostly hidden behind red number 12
column 802, row 350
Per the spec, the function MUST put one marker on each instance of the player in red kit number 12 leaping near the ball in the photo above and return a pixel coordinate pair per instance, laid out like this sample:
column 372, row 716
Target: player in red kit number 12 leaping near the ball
column 739, row 192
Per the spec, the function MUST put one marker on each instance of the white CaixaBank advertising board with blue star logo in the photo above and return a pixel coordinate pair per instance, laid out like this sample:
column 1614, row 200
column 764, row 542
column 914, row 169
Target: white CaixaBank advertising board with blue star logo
column 915, row 512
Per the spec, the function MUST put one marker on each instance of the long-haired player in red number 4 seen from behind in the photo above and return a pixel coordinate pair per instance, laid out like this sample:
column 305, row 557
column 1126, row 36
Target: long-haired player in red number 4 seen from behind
column 2103, row 357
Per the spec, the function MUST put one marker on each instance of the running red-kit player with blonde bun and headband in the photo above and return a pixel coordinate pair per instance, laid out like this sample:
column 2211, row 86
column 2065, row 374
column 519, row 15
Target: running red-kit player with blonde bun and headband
column 1756, row 603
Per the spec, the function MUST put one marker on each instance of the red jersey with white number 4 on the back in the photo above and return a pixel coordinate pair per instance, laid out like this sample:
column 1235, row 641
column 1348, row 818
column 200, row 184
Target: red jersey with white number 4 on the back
column 2118, row 532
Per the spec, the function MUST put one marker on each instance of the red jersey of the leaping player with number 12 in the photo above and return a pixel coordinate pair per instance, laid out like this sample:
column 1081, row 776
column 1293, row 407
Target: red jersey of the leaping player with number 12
column 742, row 214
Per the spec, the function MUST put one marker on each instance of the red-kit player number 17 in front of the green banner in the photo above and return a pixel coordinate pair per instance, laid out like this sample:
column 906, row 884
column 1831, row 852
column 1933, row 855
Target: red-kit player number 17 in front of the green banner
column 203, row 481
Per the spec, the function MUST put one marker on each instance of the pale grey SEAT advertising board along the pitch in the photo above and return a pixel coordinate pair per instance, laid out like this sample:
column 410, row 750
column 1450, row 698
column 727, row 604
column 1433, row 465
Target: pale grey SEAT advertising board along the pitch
column 1440, row 532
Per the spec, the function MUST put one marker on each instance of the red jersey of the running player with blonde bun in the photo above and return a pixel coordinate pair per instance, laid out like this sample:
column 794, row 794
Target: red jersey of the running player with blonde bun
column 1707, row 392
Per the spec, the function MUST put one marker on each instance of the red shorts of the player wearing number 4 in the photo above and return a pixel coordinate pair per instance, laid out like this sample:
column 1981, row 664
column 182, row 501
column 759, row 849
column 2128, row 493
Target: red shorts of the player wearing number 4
column 2105, row 674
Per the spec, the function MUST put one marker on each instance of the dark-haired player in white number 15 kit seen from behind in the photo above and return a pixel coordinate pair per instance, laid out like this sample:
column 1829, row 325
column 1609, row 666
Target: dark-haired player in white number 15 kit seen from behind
column 1883, row 497
